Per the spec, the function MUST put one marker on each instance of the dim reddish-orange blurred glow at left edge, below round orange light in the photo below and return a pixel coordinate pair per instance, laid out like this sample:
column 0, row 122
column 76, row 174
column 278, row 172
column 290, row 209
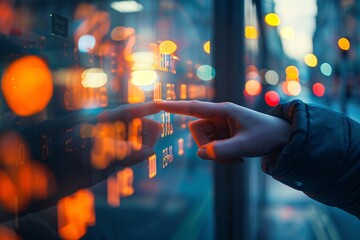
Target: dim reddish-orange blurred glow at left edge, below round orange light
column 21, row 179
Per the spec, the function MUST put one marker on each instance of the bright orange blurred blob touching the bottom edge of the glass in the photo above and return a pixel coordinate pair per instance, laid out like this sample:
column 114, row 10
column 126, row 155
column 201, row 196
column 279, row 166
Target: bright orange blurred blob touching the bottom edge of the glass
column 75, row 213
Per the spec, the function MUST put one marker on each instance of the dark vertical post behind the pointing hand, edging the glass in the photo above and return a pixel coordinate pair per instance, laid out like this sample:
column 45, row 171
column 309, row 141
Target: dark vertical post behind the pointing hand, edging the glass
column 230, row 180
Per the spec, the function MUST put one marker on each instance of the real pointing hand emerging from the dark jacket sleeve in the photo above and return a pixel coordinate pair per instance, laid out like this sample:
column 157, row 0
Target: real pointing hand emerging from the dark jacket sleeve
column 226, row 132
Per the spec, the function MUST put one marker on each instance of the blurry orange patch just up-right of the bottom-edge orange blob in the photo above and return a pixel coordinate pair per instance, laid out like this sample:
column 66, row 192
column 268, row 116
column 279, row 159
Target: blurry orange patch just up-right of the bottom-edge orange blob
column 120, row 185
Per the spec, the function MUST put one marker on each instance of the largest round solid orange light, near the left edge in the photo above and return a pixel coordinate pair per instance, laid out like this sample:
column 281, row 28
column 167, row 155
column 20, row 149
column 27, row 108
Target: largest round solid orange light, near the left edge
column 27, row 85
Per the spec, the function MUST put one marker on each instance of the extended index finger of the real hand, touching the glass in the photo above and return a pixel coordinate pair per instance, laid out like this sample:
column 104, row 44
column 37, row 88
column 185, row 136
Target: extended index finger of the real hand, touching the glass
column 192, row 108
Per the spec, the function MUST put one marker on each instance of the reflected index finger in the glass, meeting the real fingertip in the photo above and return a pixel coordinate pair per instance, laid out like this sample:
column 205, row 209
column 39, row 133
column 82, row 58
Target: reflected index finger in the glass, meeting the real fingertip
column 129, row 112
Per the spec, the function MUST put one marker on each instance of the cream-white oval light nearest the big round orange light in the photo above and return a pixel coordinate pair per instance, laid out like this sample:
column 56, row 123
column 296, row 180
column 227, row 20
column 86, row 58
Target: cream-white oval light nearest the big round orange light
column 93, row 78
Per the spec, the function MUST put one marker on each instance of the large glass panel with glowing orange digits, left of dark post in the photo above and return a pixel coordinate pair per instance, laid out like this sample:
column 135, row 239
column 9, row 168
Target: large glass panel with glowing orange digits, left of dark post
column 83, row 148
